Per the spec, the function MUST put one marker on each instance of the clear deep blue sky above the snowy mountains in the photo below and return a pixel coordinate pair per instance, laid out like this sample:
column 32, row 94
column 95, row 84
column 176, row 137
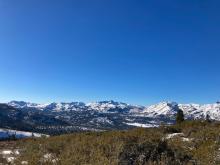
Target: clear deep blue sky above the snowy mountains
column 135, row 51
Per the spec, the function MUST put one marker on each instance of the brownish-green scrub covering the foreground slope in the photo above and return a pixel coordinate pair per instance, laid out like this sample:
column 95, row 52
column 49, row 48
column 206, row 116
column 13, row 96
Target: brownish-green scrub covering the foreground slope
column 197, row 142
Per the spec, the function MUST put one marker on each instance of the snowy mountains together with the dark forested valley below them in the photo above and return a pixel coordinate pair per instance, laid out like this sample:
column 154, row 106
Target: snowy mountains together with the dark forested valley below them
column 104, row 115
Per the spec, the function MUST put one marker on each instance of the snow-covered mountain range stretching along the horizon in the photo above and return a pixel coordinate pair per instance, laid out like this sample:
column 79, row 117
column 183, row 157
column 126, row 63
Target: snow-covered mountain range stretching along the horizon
column 165, row 109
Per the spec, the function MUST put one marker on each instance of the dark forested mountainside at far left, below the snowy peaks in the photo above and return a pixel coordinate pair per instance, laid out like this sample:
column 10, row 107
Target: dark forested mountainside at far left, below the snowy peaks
column 20, row 119
